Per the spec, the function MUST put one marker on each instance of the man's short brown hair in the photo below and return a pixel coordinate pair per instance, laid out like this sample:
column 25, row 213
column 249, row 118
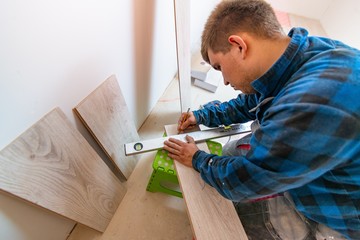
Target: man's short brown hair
column 231, row 16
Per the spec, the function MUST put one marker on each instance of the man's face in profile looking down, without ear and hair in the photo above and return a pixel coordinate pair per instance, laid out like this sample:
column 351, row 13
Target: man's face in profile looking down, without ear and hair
column 233, row 68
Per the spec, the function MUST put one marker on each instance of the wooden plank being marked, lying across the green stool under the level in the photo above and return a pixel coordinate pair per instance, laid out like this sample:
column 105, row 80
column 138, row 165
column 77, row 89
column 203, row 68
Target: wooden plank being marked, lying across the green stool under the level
column 211, row 215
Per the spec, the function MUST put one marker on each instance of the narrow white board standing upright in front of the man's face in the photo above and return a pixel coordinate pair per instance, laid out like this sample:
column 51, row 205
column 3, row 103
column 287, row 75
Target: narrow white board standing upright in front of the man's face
column 182, row 29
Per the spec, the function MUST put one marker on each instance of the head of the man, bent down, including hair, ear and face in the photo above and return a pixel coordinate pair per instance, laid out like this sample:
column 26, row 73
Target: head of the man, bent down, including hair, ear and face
column 242, row 39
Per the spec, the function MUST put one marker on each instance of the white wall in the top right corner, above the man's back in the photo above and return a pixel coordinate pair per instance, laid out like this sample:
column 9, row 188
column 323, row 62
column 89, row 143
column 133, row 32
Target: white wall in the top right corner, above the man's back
column 341, row 19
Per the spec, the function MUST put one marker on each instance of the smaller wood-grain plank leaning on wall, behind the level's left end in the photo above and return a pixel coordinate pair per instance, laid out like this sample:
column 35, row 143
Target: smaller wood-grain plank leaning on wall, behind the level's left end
column 105, row 114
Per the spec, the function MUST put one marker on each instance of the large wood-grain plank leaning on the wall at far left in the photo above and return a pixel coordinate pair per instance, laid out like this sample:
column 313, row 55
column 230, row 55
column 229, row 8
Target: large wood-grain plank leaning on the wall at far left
column 52, row 166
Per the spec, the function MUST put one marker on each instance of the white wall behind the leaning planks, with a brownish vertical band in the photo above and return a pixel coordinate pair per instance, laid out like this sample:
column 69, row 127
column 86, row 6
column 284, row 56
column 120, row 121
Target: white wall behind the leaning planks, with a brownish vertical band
column 54, row 53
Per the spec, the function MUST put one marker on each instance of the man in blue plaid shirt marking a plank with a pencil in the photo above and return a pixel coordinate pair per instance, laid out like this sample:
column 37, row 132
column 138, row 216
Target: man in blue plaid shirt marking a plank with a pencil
column 302, row 93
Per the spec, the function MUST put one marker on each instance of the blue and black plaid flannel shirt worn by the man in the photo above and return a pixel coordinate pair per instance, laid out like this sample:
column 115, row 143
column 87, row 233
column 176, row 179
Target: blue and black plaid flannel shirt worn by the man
column 308, row 143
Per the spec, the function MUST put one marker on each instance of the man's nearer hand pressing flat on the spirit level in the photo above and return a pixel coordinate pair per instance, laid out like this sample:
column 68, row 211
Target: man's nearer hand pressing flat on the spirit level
column 181, row 151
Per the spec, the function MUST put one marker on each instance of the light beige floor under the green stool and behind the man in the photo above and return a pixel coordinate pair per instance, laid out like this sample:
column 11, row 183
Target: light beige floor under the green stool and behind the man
column 146, row 215
